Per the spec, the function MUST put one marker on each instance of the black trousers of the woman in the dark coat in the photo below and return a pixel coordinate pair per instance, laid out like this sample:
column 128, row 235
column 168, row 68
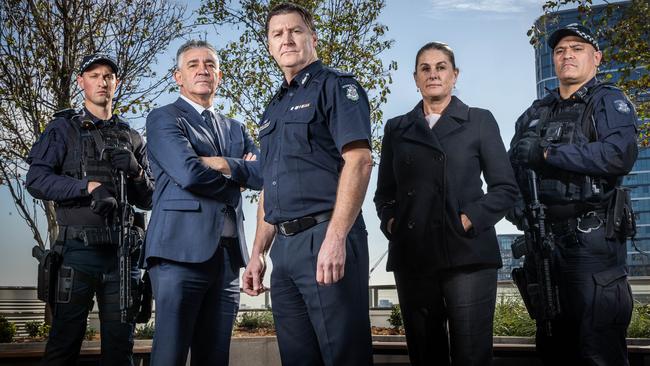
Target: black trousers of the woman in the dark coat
column 448, row 316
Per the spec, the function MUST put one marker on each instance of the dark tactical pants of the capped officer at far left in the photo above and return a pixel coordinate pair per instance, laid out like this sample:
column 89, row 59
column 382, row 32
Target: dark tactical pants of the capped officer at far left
column 86, row 271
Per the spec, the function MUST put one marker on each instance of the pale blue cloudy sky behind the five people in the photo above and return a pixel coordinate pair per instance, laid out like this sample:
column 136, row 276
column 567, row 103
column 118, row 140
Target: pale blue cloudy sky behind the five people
column 497, row 72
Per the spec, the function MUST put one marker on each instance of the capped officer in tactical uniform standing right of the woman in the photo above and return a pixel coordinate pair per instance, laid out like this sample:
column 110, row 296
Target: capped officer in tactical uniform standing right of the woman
column 580, row 140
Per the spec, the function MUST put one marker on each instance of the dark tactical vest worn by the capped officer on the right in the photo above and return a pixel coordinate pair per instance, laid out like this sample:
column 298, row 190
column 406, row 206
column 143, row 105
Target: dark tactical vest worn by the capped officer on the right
column 569, row 122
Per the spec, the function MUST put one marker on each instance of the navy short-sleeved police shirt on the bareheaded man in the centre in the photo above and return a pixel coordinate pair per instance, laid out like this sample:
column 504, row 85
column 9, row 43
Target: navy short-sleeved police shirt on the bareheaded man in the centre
column 302, row 134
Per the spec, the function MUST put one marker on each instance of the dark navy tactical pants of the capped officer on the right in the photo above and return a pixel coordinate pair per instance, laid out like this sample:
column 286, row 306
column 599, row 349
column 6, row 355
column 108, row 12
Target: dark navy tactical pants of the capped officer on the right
column 595, row 301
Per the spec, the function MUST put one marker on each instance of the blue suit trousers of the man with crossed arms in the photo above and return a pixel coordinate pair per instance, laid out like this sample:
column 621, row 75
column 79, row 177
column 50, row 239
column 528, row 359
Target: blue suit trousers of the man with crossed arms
column 196, row 306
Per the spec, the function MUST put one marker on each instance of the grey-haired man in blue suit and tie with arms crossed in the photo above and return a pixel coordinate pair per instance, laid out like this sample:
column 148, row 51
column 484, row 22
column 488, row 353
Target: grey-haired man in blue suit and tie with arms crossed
column 195, row 243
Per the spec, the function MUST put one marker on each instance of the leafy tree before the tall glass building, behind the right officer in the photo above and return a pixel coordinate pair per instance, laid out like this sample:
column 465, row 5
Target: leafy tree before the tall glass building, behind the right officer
column 625, row 28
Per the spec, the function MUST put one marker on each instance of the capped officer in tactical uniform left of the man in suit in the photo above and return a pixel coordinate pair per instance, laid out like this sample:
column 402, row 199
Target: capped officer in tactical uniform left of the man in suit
column 77, row 163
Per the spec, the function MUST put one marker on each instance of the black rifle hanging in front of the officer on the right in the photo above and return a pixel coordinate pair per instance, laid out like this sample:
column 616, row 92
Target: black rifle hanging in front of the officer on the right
column 542, row 297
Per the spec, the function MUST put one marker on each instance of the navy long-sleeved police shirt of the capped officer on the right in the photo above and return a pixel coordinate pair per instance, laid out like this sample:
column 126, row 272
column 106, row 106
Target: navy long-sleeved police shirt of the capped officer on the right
column 614, row 151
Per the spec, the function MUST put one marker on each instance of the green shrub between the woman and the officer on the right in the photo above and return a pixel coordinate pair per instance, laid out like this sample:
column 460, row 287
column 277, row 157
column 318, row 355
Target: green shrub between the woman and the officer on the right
column 512, row 319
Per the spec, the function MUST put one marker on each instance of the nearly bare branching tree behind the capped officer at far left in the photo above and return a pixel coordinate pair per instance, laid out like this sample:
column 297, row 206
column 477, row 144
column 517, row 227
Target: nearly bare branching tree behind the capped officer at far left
column 41, row 45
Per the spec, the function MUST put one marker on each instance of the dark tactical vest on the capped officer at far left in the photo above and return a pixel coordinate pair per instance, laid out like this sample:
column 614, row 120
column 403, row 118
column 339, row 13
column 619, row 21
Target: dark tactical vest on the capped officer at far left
column 88, row 155
